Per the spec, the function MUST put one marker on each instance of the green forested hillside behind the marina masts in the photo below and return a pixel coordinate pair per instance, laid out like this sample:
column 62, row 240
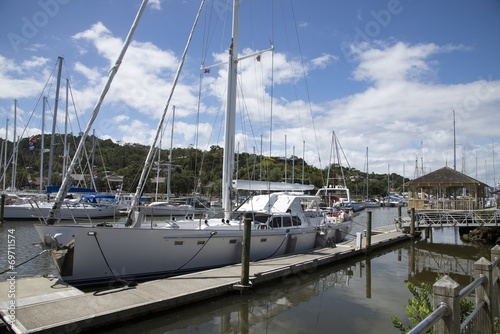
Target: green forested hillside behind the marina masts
column 190, row 167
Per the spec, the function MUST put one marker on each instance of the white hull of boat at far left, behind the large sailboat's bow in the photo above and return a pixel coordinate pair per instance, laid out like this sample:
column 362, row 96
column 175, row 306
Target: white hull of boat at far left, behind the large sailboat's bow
column 27, row 211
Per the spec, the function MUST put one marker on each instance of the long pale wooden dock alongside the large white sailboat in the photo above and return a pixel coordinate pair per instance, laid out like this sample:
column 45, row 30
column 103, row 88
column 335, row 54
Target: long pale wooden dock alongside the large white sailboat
column 45, row 305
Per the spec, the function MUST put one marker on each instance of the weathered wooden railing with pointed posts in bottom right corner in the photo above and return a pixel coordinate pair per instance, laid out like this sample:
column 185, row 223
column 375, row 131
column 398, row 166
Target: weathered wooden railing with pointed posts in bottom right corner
column 447, row 296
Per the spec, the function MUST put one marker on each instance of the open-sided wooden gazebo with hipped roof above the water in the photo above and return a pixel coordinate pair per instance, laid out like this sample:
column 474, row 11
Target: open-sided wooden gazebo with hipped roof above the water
column 446, row 189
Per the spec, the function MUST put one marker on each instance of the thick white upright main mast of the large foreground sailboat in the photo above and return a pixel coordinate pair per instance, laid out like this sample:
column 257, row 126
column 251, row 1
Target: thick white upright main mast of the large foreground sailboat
column 230, row 122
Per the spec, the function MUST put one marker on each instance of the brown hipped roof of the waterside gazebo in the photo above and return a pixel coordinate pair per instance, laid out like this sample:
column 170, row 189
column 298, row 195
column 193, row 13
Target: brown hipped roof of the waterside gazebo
column 445, row 175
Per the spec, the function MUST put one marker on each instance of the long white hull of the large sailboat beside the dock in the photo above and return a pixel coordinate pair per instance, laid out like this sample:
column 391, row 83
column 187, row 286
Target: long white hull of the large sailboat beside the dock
column 87, row 253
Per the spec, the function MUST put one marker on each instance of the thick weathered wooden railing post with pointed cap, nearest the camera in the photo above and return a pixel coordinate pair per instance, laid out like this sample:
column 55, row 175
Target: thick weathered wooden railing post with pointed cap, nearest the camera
column 447, row 291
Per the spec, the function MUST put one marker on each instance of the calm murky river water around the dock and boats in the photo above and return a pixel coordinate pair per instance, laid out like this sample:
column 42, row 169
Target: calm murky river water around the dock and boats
column 358, row 295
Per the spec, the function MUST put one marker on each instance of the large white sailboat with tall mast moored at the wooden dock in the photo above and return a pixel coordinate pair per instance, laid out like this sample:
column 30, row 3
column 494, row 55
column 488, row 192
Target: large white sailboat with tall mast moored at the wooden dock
column 280, row 224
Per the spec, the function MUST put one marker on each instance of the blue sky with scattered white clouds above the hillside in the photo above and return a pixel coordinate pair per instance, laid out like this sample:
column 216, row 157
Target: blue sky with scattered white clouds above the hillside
column 398, row 82
